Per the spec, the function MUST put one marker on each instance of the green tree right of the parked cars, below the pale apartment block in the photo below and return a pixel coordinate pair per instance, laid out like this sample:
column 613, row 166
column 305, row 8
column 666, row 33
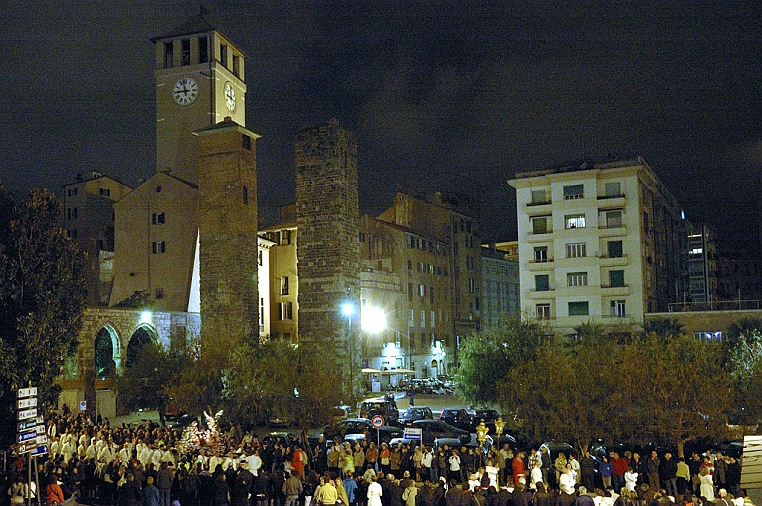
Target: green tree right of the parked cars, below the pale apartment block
column 487, row 357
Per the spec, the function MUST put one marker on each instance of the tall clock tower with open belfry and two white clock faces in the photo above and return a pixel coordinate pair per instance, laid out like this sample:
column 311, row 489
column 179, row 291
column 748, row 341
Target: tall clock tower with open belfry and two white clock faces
column 199, row 82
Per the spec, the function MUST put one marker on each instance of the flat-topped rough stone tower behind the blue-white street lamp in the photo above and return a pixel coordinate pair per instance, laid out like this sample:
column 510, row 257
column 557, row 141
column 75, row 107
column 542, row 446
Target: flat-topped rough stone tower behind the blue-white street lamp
column 328, row 252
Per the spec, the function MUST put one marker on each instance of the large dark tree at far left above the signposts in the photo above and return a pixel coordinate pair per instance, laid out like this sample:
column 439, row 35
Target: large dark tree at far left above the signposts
column 42, row 296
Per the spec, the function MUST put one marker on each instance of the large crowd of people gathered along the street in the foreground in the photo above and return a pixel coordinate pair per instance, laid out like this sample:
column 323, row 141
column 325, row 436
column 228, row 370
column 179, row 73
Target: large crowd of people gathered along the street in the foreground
column 91, row 462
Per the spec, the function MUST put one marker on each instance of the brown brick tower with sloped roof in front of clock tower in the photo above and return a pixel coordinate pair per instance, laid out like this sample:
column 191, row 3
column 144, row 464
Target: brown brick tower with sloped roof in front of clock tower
column 227, row 213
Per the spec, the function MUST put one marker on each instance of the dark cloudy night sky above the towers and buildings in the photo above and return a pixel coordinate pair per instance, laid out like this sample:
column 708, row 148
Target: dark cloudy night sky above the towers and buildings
column 443, row 95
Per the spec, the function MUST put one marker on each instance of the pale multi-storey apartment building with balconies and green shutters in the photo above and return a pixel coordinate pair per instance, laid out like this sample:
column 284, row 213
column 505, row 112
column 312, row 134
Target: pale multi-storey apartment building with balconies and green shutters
column 600, row 242
